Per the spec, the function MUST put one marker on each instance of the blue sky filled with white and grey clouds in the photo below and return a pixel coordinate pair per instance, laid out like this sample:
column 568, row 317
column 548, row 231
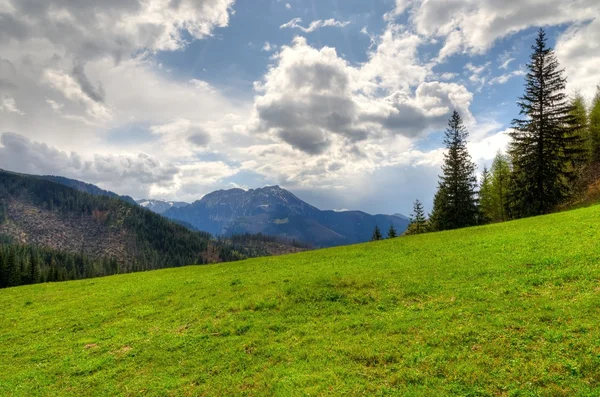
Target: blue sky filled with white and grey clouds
column 342, row 102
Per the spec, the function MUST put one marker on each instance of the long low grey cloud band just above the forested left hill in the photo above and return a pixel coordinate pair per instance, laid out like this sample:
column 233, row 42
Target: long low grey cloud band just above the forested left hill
column 140, row 175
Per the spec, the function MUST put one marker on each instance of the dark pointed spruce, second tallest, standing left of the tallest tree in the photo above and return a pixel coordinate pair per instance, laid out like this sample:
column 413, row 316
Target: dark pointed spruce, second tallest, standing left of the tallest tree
column 455, row 203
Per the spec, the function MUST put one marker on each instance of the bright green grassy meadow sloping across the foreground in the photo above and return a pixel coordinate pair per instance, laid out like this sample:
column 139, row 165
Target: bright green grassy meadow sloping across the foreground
column 510, row 309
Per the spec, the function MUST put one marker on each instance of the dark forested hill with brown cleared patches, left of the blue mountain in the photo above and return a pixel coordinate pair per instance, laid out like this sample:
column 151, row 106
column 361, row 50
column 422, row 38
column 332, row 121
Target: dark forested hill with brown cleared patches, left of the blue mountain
column 113, row 234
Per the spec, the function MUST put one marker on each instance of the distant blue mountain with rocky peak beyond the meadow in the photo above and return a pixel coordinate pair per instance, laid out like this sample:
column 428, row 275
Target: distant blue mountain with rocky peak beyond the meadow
column 275, row 211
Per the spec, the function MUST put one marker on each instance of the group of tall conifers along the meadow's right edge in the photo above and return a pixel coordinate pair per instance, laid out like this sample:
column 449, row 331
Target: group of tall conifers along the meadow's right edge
column 553, row 154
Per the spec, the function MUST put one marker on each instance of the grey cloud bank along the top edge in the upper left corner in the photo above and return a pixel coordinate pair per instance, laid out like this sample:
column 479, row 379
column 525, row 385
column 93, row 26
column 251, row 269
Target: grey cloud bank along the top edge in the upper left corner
column 115, row 28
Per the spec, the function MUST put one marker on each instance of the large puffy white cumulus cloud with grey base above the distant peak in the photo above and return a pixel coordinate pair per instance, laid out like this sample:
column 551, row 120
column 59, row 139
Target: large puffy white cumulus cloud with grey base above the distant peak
column 310, row 98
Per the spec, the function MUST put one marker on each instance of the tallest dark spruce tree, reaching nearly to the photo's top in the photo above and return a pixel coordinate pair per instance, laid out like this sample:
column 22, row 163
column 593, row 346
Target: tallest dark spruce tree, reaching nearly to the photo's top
column 542, row 141
